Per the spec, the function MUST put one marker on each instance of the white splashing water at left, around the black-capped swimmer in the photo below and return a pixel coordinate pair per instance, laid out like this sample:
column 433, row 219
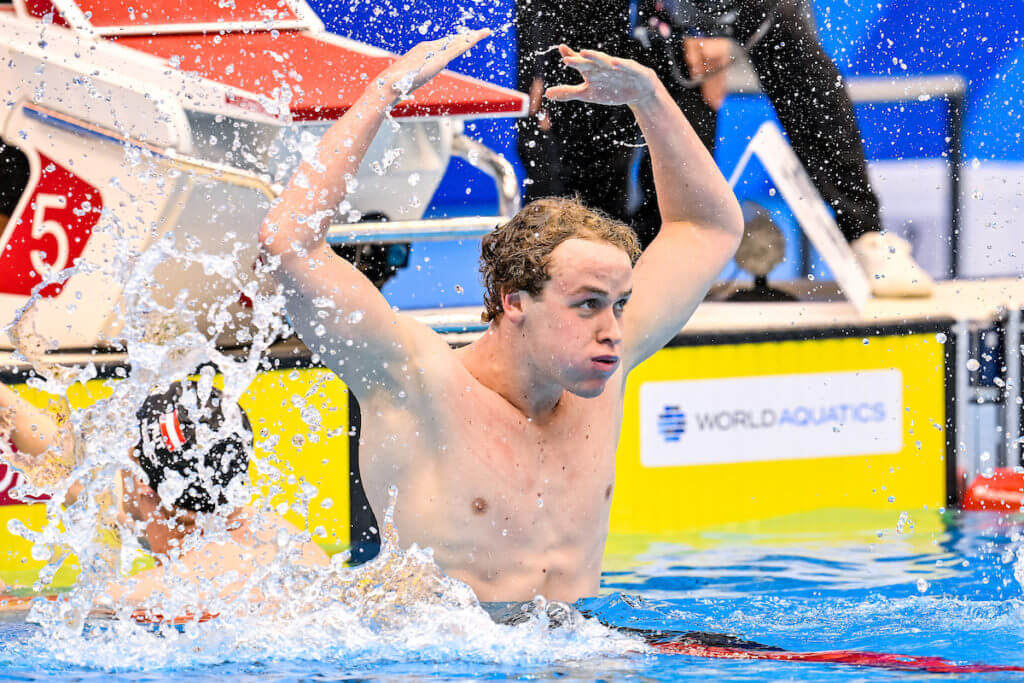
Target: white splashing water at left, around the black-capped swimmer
column 399, row 607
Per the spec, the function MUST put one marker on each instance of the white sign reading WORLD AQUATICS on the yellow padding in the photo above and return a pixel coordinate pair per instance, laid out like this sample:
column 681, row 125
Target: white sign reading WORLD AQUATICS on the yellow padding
column 778, row 417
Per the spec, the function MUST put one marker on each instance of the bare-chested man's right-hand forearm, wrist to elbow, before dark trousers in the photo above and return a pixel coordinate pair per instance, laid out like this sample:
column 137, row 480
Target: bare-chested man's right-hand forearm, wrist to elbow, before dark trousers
column 691, row 188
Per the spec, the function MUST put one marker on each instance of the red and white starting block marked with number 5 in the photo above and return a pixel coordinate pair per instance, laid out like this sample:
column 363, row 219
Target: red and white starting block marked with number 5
column 167, row 116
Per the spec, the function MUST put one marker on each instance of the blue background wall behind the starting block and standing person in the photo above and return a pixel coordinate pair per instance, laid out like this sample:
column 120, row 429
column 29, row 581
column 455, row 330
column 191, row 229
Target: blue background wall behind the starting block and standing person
column 983, row 41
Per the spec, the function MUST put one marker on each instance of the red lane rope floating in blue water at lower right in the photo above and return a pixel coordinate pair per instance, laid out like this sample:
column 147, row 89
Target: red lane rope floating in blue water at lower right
column 851, row 658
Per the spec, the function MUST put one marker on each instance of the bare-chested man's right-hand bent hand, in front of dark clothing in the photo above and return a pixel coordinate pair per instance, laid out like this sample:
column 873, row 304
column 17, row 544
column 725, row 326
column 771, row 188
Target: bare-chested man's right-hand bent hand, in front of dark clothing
column 608, row 80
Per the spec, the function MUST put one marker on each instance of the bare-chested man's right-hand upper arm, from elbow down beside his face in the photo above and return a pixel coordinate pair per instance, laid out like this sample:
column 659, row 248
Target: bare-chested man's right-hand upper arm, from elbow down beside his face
column 670, row 281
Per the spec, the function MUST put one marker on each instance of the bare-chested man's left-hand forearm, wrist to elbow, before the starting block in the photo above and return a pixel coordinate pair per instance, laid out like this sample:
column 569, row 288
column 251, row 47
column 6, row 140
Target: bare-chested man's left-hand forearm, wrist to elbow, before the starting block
column 298, row 221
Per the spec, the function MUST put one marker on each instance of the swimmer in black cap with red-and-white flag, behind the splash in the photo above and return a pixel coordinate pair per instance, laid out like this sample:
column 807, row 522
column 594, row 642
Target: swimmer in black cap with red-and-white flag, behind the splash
column 163, row 503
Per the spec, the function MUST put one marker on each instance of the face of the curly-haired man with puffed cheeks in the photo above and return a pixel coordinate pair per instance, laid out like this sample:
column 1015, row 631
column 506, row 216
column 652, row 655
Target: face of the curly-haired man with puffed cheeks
column 576, row 326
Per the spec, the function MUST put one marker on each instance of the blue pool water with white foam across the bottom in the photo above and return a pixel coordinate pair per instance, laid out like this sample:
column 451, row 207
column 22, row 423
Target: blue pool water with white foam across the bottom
column 950, row 588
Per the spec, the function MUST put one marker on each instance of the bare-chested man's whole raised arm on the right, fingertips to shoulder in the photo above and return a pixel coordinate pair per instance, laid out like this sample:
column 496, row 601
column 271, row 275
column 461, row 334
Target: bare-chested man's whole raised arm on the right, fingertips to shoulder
column 702, row 224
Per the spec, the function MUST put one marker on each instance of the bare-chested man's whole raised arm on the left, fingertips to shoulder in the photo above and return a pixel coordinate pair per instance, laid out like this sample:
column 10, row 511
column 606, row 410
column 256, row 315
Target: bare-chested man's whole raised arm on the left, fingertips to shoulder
column 366, row 341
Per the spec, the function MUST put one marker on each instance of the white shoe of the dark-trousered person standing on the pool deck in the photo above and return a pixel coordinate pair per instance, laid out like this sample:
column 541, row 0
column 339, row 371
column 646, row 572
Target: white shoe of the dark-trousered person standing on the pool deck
column 887, row 262
